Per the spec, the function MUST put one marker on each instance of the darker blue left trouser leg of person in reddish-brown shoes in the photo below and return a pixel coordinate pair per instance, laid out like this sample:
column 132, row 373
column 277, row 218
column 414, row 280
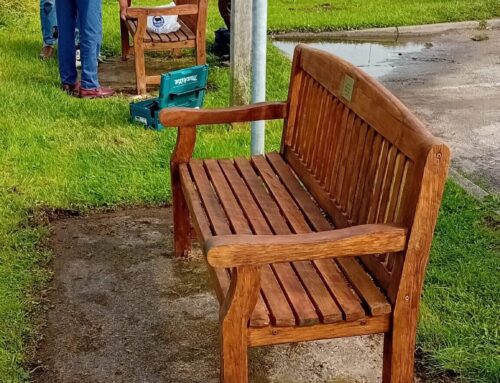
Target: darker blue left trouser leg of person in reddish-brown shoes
column 66, row 20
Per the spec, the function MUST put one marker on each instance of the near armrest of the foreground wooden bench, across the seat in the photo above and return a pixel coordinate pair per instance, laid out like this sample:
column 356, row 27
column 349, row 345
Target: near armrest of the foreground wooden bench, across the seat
column 242, row 250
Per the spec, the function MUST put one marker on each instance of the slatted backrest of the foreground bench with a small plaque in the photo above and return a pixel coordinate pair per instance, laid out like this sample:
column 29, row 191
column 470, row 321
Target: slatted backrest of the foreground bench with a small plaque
column 364, row 157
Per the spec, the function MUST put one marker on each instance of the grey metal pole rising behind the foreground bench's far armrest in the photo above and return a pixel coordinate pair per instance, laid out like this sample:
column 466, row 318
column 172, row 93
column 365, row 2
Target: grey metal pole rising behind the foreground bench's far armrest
column 259, row 47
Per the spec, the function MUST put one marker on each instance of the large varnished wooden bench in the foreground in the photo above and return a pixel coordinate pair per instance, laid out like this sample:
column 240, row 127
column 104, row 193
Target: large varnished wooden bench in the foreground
column 329, row 237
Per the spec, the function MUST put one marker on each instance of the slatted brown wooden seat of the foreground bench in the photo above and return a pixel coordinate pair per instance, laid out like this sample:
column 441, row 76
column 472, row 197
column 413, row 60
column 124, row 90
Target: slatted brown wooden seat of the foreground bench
column 263, row 196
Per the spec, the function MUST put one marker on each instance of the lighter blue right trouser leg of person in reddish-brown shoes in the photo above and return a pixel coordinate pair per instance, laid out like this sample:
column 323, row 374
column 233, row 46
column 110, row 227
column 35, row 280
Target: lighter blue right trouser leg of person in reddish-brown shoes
column 90, row 17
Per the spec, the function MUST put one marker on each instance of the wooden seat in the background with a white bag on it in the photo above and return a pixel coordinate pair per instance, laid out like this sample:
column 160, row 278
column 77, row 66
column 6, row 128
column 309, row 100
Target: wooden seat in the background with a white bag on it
column 192, row 34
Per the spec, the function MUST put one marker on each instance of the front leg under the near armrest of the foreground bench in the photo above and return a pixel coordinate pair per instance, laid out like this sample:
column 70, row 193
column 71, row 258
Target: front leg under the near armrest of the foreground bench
column 235, row 313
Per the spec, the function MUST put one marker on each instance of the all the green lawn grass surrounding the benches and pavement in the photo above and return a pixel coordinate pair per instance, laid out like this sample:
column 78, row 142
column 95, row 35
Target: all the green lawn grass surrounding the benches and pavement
column 58, row 152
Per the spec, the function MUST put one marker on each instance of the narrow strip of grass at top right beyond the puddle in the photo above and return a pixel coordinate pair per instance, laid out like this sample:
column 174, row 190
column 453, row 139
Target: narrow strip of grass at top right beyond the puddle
column 316, row 15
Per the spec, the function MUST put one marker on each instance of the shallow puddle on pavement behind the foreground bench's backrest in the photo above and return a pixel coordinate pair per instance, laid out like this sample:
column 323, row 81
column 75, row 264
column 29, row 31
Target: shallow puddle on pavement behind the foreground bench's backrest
column 375, row 58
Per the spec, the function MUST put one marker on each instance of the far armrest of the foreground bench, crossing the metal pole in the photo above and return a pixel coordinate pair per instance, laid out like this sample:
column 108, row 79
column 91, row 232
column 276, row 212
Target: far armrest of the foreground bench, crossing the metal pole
column 174, row 117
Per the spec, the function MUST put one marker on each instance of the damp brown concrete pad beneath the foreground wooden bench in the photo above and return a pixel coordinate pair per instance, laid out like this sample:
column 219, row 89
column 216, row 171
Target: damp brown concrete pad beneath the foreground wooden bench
column 123, row 309
